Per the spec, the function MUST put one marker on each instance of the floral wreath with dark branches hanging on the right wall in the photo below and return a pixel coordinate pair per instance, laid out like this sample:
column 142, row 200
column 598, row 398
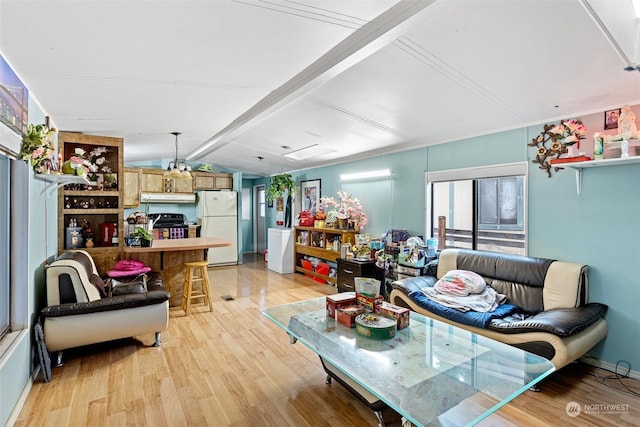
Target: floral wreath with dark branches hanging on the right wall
column 559, row 137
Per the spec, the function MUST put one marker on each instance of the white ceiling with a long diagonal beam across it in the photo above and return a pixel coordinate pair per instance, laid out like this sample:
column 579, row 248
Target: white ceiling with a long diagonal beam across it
column 244, row 79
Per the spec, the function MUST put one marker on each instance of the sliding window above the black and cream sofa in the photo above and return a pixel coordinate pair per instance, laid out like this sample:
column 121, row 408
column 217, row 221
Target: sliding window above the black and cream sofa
column 479, row 208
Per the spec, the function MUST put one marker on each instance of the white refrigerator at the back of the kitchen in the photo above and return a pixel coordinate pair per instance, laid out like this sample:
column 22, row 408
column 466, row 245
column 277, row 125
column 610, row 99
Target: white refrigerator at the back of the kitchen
column 217, row 213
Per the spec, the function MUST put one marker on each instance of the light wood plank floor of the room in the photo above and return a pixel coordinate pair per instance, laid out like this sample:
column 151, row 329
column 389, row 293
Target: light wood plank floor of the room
column 233, row 367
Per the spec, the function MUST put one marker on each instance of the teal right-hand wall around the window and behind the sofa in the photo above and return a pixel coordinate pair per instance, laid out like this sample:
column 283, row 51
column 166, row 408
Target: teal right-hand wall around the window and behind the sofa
column 596, row 227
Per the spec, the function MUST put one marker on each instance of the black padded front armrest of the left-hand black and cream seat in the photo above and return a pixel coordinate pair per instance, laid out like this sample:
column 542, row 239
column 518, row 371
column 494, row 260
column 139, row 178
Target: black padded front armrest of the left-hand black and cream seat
column 119, row 302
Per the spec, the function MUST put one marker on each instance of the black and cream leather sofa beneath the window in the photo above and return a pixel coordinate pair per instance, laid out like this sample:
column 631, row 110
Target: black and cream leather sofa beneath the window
column 554, row 317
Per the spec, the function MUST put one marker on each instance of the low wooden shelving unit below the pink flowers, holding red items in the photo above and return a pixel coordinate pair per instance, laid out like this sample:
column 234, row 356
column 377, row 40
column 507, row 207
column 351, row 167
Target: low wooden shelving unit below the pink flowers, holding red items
column 318, row 243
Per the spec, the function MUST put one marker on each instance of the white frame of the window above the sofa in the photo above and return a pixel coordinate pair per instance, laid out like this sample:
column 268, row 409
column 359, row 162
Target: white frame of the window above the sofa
column 490, row 171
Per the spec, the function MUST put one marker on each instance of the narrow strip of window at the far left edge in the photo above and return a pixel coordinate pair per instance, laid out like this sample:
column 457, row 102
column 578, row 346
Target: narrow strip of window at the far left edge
column 5, row 299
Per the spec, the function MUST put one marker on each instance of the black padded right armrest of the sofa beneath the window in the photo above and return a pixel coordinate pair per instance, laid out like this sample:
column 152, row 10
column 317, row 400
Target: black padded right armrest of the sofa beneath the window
column 562, row 322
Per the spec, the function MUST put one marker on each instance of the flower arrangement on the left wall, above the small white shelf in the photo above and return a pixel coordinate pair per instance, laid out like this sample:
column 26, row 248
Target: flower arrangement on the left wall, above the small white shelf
column 37, row 148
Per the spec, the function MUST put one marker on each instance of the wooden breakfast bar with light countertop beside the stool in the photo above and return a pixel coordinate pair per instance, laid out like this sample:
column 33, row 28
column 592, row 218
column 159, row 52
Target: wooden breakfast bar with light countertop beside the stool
column 168, row 256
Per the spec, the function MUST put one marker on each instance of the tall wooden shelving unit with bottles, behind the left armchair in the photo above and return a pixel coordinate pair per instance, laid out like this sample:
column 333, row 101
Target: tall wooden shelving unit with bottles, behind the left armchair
column 98, row 202
